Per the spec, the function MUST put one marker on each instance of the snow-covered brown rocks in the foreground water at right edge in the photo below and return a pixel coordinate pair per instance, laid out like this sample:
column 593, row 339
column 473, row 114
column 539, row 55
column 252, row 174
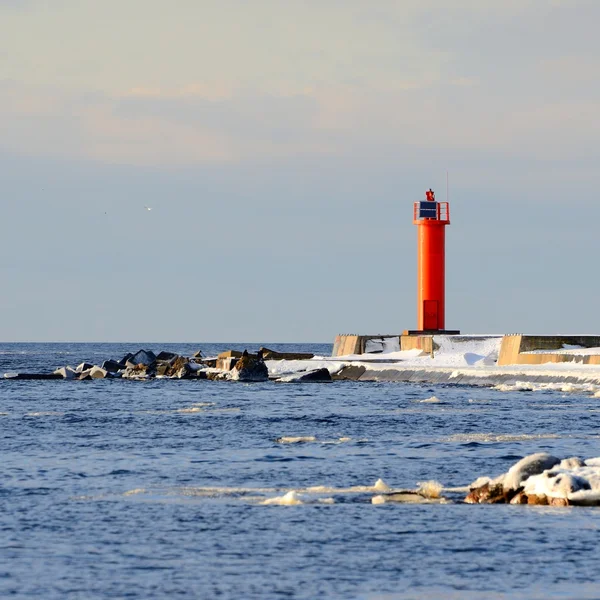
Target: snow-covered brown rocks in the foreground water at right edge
column 542, row 479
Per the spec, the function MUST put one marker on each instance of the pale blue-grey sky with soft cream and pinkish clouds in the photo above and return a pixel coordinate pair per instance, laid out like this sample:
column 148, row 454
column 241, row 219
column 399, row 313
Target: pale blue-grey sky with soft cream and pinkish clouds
column 280, row 145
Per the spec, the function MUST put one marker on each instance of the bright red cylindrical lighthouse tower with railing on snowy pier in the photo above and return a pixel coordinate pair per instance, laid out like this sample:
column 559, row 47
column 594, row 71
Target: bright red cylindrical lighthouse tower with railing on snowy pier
column 431, row 218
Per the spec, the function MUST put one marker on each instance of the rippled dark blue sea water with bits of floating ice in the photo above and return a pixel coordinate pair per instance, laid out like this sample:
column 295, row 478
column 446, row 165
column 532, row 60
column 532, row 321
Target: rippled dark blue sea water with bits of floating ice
column 123, row 489
